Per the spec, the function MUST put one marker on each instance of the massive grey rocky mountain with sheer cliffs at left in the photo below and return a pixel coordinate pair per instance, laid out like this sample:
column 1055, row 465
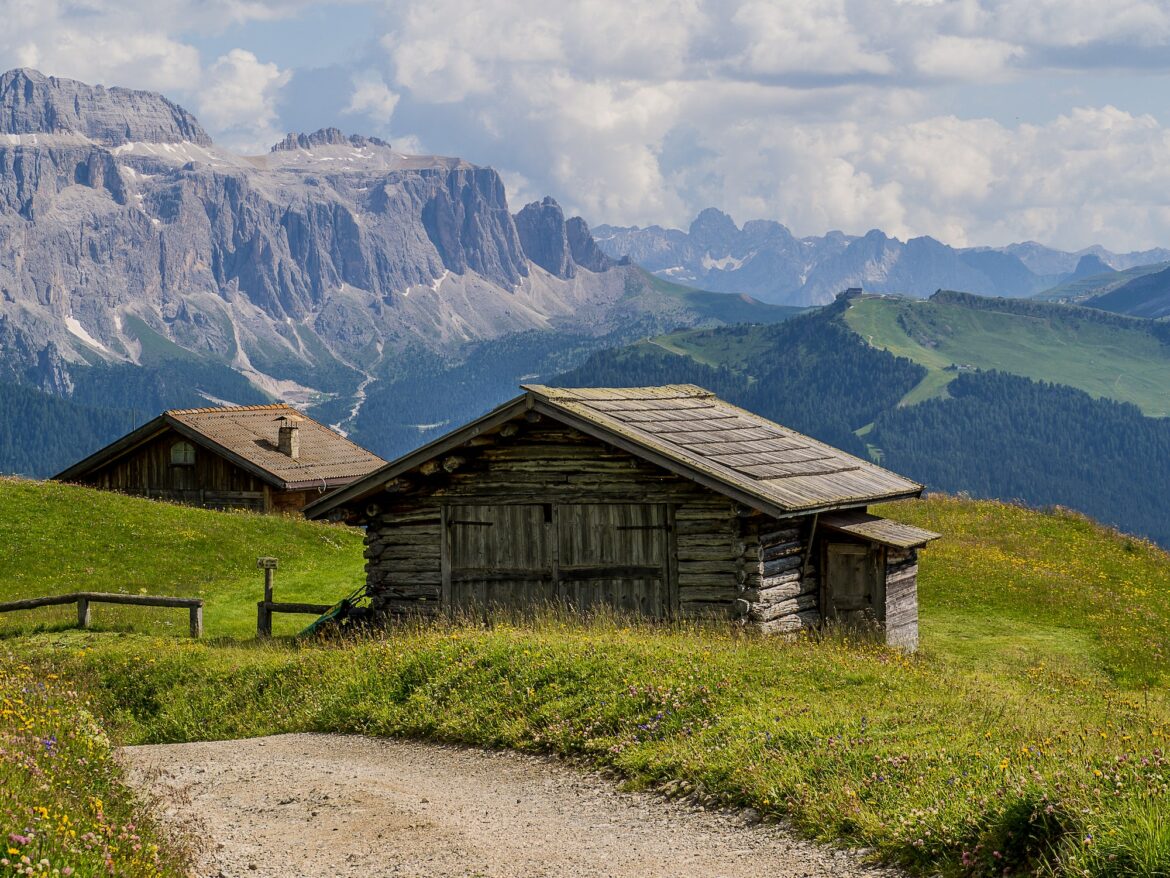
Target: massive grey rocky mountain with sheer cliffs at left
column 130, row 243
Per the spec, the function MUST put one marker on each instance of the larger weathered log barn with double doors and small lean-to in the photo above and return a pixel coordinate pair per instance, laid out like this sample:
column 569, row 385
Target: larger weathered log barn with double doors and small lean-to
column 663, row 502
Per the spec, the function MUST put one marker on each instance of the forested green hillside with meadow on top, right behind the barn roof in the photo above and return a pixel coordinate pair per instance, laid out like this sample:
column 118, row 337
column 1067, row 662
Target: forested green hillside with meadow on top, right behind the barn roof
column 989, row 434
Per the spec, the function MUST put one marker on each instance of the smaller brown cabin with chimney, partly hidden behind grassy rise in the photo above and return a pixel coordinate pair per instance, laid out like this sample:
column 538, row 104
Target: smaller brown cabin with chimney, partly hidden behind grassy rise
column 266, row 458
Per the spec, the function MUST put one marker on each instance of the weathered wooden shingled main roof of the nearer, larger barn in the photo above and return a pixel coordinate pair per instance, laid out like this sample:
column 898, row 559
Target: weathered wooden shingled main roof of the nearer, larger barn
column 692, row 433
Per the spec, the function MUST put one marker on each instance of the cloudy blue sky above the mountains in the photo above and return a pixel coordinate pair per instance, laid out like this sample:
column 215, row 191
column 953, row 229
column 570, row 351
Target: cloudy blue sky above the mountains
column 974, row 121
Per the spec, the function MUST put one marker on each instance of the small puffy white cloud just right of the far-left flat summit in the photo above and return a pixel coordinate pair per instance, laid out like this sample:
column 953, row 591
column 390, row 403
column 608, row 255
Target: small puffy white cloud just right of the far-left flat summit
column 239, row 98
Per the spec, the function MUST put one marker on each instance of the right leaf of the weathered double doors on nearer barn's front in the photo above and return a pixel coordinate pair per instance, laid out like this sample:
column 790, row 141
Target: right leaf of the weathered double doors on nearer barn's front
column 615, row 555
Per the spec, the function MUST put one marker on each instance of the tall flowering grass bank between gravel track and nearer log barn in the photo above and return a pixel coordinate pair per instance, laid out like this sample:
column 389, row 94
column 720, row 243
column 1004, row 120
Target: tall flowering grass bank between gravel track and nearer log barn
column 933, row 766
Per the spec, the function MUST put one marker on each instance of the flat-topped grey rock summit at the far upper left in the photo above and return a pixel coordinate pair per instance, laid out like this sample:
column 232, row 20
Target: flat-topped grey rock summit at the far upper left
column 32, row 104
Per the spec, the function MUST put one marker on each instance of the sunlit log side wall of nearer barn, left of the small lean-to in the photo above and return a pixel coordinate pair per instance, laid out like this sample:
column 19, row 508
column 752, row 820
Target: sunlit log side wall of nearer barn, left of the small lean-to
column 781, row 594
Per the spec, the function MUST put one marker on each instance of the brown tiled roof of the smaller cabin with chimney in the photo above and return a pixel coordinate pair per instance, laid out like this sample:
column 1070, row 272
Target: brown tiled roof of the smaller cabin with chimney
column 247, row 436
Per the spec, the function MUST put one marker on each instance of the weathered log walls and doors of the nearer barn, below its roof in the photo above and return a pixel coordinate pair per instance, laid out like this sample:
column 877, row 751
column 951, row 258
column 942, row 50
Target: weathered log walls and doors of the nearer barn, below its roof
column 534, row 511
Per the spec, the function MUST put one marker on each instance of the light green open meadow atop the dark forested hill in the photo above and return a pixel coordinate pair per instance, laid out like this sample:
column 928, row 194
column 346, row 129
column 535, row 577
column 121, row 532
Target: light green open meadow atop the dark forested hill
column 1106, row 360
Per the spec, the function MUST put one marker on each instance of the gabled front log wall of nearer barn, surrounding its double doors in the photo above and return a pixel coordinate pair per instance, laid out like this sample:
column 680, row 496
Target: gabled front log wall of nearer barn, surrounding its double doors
column 548, row 463
